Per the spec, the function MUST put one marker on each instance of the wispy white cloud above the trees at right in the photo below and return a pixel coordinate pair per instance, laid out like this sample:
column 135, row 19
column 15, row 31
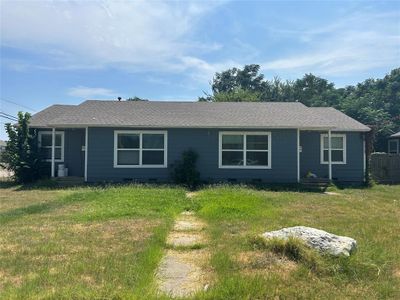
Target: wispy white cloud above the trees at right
column 360, row 42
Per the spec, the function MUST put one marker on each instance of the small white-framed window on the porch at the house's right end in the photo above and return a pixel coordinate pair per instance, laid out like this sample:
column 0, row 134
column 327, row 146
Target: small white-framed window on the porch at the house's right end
column 338, row 149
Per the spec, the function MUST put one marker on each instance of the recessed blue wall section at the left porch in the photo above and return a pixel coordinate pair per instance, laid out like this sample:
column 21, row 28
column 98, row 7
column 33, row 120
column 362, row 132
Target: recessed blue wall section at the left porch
column 74, row 157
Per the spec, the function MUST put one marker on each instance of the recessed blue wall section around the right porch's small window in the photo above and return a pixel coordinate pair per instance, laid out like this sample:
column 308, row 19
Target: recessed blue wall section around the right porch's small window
column 310, row 157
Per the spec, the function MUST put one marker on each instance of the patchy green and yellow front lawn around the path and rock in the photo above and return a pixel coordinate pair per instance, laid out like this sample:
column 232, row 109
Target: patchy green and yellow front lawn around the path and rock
column 94, row 242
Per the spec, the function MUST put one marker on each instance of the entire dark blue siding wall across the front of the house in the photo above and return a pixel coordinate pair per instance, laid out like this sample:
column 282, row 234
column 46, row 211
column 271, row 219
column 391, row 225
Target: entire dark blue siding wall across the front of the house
column 205, row 143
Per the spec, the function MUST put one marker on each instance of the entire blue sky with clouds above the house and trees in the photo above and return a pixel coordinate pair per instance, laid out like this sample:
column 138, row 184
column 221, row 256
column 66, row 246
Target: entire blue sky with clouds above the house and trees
column 69, row 51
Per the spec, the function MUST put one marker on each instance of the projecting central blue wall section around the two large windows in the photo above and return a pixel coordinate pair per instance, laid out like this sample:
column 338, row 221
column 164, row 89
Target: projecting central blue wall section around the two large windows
column 205, row 143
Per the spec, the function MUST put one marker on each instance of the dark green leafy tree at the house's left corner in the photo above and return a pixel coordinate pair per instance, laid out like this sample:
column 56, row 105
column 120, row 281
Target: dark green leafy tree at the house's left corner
column 21, row 155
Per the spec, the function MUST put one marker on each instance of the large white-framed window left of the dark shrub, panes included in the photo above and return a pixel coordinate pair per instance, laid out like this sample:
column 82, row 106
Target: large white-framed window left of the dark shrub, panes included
column 140, row 149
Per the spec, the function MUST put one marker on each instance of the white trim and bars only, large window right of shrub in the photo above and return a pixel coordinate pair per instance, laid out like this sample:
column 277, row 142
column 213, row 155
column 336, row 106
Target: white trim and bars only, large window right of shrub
column 244, row 150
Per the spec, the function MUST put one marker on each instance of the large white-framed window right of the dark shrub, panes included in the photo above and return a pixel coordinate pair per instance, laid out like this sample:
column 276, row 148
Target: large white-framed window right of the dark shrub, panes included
column 244, row 150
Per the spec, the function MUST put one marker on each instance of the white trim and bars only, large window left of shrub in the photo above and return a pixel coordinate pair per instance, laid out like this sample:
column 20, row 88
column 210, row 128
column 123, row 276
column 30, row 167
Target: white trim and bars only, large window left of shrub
column 140, row 149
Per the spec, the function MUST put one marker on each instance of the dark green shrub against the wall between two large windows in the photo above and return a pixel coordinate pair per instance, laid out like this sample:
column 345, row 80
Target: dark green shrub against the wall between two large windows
column 185, row 171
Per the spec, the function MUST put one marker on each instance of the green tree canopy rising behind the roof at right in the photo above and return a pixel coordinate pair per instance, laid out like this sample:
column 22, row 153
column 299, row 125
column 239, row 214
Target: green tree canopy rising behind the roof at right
column 374, row 102
